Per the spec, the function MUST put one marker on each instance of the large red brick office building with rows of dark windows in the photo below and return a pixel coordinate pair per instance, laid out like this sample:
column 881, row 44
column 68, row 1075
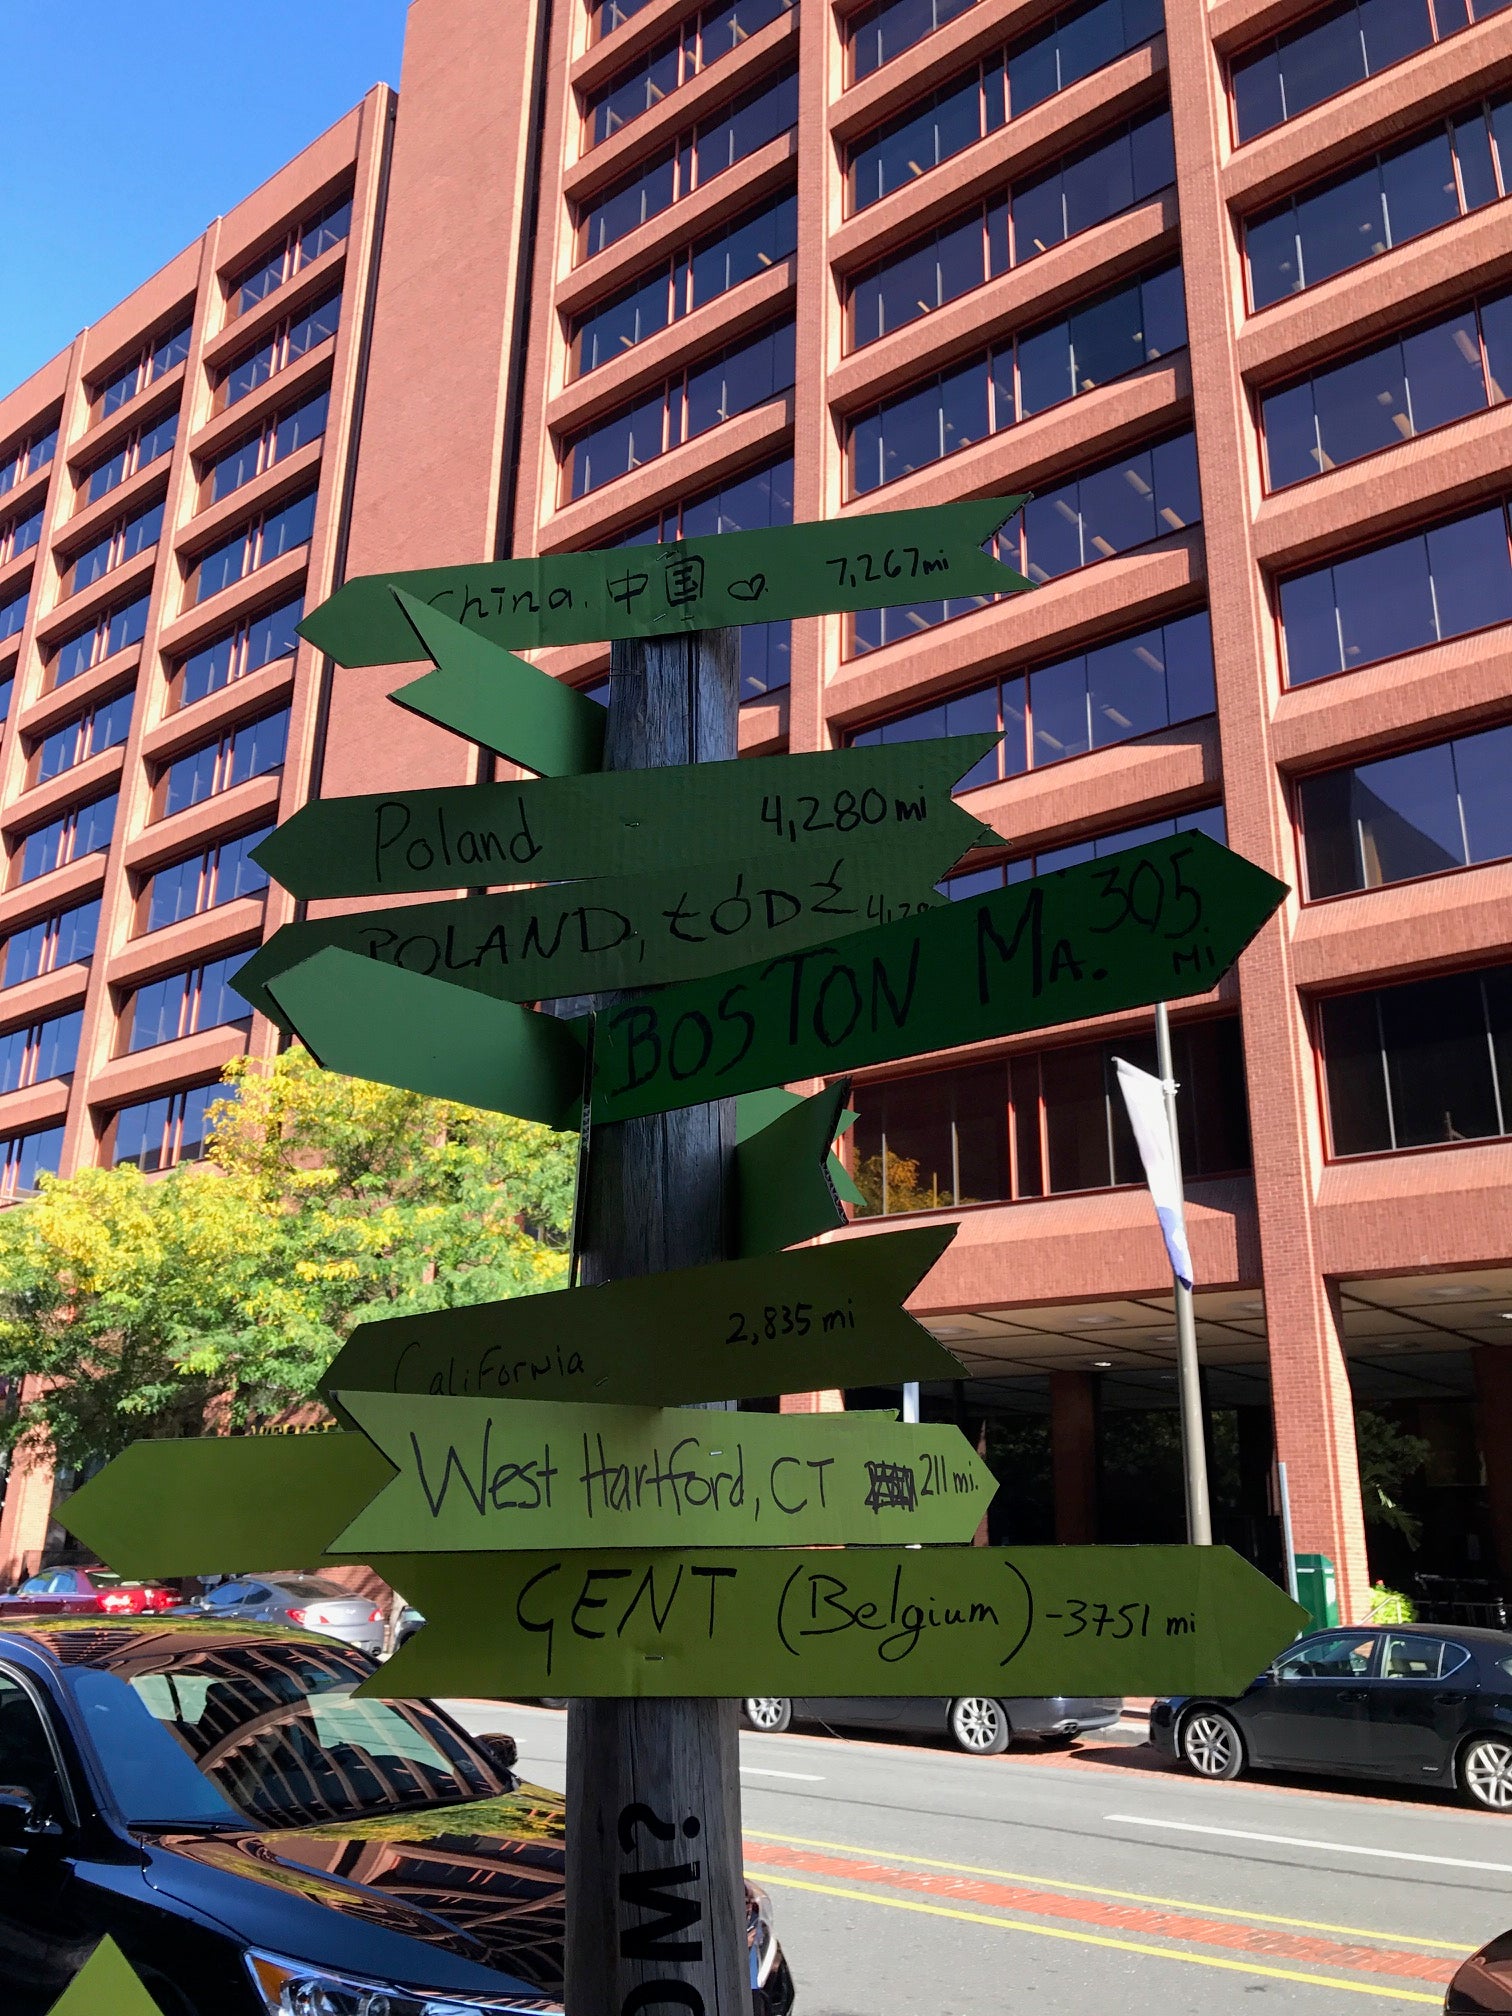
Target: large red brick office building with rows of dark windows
column 1229, row 289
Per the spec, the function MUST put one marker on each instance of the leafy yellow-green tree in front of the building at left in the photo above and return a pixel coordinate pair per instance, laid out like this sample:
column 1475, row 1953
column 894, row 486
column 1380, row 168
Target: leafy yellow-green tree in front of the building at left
column 227, row 1287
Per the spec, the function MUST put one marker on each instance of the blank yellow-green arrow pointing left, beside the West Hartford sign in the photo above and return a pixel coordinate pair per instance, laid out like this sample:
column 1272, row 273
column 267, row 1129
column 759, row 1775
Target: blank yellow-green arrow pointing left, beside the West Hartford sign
column 225, row 1505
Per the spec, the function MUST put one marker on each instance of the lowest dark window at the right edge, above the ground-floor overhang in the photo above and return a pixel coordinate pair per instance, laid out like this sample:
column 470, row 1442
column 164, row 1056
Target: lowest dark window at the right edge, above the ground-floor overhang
column 1420, row 1063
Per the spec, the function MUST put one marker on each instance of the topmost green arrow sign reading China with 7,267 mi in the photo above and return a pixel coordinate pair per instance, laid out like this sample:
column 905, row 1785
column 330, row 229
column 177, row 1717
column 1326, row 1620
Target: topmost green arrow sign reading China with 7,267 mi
column 868, row 561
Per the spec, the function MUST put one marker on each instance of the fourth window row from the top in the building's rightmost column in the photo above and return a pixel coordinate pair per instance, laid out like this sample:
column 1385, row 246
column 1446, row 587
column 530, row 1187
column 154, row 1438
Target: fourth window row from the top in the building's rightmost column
column 1412, row 592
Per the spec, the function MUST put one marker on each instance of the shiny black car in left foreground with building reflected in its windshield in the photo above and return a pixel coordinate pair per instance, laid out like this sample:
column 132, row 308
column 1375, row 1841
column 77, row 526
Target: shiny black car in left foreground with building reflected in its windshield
column 259, row 1844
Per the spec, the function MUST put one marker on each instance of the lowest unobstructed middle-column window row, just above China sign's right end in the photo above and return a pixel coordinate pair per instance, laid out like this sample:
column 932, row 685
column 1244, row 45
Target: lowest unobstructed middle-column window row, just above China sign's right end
column 1094, row 346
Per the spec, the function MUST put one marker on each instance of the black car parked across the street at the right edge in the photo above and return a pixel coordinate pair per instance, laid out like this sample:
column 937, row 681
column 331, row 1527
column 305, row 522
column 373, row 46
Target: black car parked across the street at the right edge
column 1424, row 1705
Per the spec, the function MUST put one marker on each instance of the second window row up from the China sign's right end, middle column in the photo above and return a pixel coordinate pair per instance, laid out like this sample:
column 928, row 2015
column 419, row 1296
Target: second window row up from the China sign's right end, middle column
column 1011, row 229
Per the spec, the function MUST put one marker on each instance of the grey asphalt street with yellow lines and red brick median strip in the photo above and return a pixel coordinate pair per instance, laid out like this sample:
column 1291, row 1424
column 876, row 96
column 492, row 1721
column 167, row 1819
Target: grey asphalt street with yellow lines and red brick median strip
column 920, row 1882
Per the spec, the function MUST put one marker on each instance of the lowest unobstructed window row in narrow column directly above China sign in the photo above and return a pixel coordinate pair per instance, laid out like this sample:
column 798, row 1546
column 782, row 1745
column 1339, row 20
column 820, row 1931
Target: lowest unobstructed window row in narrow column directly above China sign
column 737, row 380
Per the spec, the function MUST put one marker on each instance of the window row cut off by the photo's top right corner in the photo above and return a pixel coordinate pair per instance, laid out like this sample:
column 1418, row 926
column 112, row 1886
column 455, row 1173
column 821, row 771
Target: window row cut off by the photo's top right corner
column 1336, row 49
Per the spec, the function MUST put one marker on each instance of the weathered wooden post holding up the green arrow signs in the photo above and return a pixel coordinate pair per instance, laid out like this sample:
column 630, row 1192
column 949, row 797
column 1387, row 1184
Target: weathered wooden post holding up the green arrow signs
column 656, row 1900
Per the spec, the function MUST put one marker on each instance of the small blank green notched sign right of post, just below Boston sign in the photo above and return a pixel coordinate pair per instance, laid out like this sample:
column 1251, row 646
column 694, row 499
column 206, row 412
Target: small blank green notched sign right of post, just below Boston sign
column 785, row 1170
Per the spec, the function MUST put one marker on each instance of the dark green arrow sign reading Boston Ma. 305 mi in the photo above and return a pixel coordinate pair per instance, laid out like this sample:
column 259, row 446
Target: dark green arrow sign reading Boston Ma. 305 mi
column 1156, row 922
